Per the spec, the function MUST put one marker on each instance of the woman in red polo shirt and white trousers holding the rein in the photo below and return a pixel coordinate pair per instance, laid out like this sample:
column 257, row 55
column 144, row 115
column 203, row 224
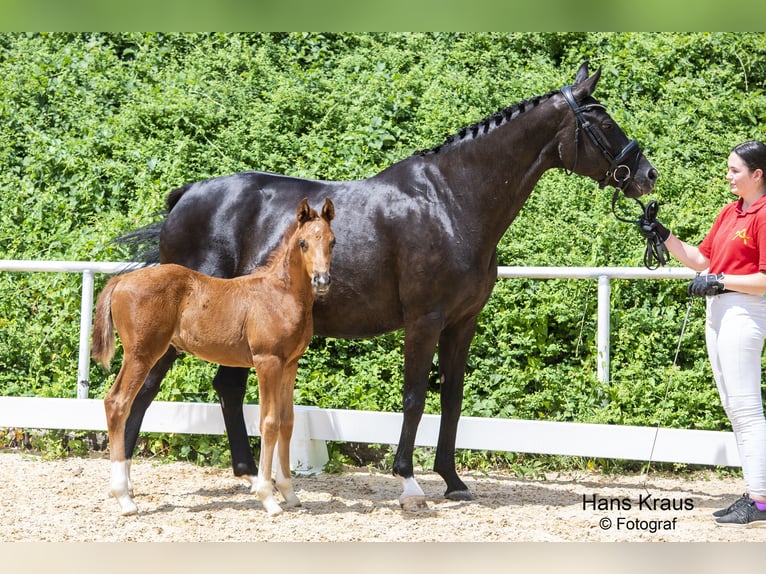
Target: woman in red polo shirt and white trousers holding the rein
column 734, row 256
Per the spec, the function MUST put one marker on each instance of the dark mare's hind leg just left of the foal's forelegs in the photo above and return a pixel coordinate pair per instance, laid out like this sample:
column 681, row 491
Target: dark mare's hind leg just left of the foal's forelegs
column 231, row 383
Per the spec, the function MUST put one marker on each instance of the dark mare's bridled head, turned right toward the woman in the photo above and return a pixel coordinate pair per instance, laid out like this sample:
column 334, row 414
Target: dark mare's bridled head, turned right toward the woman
column 603, row 152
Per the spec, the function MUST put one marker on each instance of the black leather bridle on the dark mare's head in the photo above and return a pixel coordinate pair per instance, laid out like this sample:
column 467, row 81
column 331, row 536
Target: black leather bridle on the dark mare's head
column 618, row 174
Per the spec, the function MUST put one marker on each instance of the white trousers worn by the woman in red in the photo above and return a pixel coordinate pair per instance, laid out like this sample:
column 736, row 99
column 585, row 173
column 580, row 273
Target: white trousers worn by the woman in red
column 734, row 331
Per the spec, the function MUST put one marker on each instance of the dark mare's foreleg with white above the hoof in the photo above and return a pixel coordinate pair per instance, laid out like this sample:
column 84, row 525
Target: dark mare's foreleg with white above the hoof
column 419, row 342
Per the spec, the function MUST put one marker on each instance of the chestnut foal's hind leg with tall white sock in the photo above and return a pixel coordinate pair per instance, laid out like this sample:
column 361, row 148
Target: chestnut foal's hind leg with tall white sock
column 117, row 405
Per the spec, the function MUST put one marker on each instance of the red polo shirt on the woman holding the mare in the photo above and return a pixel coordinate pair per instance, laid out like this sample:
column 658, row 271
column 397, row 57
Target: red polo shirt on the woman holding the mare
column 736, row 244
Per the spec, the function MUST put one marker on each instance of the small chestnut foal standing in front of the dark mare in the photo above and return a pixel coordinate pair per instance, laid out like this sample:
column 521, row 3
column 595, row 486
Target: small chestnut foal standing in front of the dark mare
column 261, row 320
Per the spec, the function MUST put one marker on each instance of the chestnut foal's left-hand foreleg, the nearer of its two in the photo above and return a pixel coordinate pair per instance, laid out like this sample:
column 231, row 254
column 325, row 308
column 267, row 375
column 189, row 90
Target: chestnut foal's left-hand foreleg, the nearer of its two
column 269, row 378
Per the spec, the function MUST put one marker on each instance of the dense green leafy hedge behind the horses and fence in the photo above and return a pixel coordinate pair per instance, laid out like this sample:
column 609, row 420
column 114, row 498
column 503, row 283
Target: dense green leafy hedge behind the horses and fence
column 95, row 129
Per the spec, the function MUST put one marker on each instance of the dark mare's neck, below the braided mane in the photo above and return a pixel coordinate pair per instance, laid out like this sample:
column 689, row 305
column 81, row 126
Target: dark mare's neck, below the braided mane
column 491, row 175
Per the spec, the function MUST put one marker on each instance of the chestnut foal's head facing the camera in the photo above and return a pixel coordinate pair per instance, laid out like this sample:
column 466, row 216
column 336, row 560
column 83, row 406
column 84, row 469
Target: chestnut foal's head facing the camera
column 316, row 241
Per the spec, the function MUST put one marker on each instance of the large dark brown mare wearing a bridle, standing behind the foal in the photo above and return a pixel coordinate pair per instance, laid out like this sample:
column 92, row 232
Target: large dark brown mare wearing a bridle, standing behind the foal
column 416, row 248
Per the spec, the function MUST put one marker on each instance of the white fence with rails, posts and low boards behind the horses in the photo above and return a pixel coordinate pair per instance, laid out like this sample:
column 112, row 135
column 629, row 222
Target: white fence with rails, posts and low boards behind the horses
column 314, row 426
